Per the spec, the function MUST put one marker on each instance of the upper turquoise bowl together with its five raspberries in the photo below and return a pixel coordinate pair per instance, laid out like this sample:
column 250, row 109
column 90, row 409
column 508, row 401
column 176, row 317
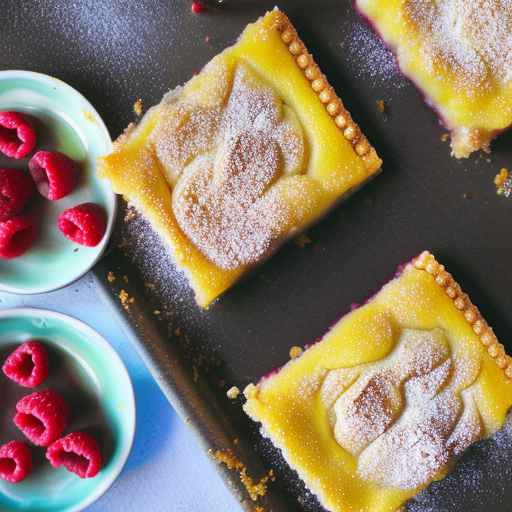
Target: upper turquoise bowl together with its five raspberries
column 39, row 182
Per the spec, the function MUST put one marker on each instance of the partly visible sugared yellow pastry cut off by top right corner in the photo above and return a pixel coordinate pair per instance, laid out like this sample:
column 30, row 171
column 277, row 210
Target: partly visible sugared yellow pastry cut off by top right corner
column 459, row 54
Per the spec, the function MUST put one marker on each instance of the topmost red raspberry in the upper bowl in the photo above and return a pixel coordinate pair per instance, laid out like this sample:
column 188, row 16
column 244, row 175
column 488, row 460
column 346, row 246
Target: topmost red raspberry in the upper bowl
column 17, row 136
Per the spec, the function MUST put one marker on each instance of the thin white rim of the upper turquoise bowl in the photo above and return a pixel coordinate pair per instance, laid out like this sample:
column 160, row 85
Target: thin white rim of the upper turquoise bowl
column 111, row 196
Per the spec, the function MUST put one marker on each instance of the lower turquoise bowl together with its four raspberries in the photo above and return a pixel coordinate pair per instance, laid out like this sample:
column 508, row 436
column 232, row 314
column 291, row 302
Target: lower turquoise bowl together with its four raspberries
column 78, row 423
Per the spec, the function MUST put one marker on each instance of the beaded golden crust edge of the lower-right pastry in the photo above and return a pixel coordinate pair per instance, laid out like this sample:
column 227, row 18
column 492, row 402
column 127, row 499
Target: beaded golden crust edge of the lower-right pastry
column 428, row 263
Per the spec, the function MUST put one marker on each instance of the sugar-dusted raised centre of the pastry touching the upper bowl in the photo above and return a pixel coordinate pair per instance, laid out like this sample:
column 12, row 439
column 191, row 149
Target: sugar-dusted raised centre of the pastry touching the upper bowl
column 223, row 169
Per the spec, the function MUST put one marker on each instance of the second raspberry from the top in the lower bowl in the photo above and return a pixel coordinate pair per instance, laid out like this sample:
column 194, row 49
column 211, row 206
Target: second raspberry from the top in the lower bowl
column 42, row 416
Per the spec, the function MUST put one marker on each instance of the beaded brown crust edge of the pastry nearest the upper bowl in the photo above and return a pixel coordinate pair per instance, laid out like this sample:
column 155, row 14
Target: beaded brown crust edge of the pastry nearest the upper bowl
column 326, row 94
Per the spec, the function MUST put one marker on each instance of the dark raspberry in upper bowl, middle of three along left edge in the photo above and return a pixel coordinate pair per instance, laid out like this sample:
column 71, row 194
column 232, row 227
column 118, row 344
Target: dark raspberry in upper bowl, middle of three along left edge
column 16, row 188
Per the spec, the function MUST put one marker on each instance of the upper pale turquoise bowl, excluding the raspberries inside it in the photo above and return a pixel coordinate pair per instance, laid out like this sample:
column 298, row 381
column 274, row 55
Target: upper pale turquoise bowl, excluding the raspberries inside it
column 65, row 122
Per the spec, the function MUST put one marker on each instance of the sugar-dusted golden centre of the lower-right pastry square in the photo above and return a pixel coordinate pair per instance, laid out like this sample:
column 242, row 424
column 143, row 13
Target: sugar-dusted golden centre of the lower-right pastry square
column 404, row 418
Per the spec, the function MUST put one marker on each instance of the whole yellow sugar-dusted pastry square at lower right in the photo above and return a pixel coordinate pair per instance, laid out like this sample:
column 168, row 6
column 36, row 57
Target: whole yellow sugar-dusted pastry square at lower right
column 387, row 400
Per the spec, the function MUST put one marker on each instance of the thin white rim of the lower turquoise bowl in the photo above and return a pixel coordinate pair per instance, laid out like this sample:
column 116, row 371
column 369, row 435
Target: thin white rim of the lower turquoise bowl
column 97, row 338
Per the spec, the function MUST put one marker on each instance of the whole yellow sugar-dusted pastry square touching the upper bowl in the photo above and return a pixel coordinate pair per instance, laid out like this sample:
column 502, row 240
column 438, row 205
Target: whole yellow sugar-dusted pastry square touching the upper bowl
column 245, row 155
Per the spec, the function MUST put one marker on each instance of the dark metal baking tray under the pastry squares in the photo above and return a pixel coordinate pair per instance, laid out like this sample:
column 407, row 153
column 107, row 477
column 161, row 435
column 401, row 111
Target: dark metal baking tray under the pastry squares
column 115, row 51
